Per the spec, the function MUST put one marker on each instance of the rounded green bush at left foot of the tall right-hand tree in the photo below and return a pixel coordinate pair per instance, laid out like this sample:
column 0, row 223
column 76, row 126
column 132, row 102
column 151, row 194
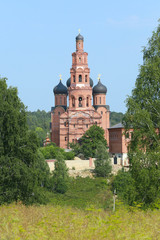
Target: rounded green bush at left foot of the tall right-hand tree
column 124, row 185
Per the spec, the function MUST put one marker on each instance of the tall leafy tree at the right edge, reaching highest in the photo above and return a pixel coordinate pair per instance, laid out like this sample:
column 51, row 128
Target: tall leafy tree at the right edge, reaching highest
column 143, row 115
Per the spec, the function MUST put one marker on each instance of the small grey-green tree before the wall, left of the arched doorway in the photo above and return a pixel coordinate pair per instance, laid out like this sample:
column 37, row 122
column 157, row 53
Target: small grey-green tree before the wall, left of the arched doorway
column 102, row 162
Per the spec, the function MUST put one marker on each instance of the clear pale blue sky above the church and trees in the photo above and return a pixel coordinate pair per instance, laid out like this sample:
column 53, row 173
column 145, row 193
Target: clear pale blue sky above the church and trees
column 37, row 38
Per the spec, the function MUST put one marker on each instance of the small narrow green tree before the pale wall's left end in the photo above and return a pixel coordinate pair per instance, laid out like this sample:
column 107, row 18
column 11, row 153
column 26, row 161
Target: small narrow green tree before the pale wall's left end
column 60, row 175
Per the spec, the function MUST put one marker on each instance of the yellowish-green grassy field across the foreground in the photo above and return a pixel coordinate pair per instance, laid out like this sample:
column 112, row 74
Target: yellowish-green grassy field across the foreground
column 56, row 222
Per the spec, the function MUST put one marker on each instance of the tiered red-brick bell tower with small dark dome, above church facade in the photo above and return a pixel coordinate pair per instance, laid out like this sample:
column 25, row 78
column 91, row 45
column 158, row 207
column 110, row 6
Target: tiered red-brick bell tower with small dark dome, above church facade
column 80, row 91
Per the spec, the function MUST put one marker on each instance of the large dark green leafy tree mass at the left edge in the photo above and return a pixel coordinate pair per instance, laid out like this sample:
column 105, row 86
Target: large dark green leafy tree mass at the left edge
column 19, row 161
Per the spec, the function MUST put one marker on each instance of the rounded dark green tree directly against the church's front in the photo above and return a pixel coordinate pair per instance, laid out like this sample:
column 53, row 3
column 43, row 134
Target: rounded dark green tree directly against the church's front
column 90, row 140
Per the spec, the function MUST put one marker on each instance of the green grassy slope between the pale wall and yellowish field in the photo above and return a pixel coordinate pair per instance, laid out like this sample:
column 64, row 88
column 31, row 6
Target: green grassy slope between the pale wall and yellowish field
column 84, row 192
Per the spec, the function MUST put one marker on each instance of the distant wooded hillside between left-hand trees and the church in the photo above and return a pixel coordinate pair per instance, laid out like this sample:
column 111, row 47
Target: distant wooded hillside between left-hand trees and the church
column 39, row 121
